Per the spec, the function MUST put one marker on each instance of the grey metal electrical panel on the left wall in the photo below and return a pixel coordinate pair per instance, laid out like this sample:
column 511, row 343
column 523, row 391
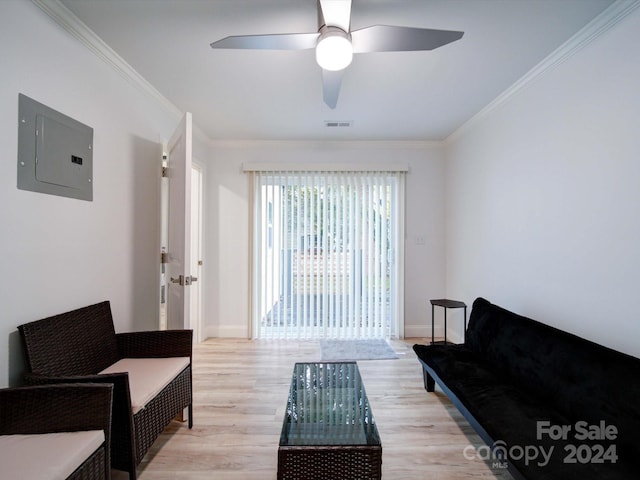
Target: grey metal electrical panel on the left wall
column 55, row 152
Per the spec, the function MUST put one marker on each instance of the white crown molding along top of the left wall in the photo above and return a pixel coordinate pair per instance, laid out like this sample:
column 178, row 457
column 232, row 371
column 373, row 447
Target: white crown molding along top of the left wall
column 73, row 25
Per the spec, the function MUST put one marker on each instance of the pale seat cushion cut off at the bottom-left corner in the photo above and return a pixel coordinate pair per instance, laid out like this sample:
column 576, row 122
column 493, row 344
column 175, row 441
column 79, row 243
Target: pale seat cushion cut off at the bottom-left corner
column 48, row 456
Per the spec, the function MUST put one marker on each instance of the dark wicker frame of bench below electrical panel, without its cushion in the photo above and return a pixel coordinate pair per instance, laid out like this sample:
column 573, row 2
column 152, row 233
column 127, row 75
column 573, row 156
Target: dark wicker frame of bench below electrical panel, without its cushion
column 75, row 346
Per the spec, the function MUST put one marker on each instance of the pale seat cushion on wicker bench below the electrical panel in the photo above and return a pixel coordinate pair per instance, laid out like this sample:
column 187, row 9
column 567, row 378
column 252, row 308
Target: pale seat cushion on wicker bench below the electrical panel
column 148, row 376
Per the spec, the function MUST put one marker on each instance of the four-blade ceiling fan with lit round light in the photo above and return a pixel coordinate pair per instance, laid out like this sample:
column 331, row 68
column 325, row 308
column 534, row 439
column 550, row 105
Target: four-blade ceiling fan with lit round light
column 335, row 43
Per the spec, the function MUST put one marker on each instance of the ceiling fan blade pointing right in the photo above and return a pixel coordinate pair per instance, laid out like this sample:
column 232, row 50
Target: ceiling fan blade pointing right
column 385, row 38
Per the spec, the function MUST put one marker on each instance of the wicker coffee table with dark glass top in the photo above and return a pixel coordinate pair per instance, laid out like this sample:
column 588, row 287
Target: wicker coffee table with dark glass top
column 328, row 431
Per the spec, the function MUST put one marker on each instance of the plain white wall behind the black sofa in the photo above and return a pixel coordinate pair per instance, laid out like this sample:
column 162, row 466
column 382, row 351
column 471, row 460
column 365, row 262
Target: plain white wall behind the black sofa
column 543, row 196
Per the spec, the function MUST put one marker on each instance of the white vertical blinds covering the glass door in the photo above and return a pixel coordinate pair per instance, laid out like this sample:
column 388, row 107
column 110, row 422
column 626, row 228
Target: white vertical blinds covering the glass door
column 325, row 253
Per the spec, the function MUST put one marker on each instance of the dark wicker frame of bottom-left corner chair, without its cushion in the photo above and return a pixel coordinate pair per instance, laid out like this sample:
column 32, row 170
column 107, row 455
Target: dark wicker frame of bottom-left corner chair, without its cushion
column 61, row 408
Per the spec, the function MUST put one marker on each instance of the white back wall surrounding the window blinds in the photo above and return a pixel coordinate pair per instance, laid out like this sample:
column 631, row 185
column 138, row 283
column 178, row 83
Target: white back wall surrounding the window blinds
column 227, row 223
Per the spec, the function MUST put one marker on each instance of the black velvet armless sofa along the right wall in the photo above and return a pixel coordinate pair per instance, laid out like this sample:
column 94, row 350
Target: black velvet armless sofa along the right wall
column 549, row 404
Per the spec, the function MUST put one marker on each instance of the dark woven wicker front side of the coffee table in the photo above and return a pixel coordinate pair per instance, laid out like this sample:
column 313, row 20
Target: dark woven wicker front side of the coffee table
column 330, row 462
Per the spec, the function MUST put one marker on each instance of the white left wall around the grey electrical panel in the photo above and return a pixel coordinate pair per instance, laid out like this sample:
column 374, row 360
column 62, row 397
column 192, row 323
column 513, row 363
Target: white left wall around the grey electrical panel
column 59, row 253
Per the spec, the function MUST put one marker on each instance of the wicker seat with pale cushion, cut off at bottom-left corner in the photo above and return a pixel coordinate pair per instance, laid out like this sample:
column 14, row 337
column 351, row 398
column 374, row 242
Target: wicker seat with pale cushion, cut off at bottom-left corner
column 56, row 431
